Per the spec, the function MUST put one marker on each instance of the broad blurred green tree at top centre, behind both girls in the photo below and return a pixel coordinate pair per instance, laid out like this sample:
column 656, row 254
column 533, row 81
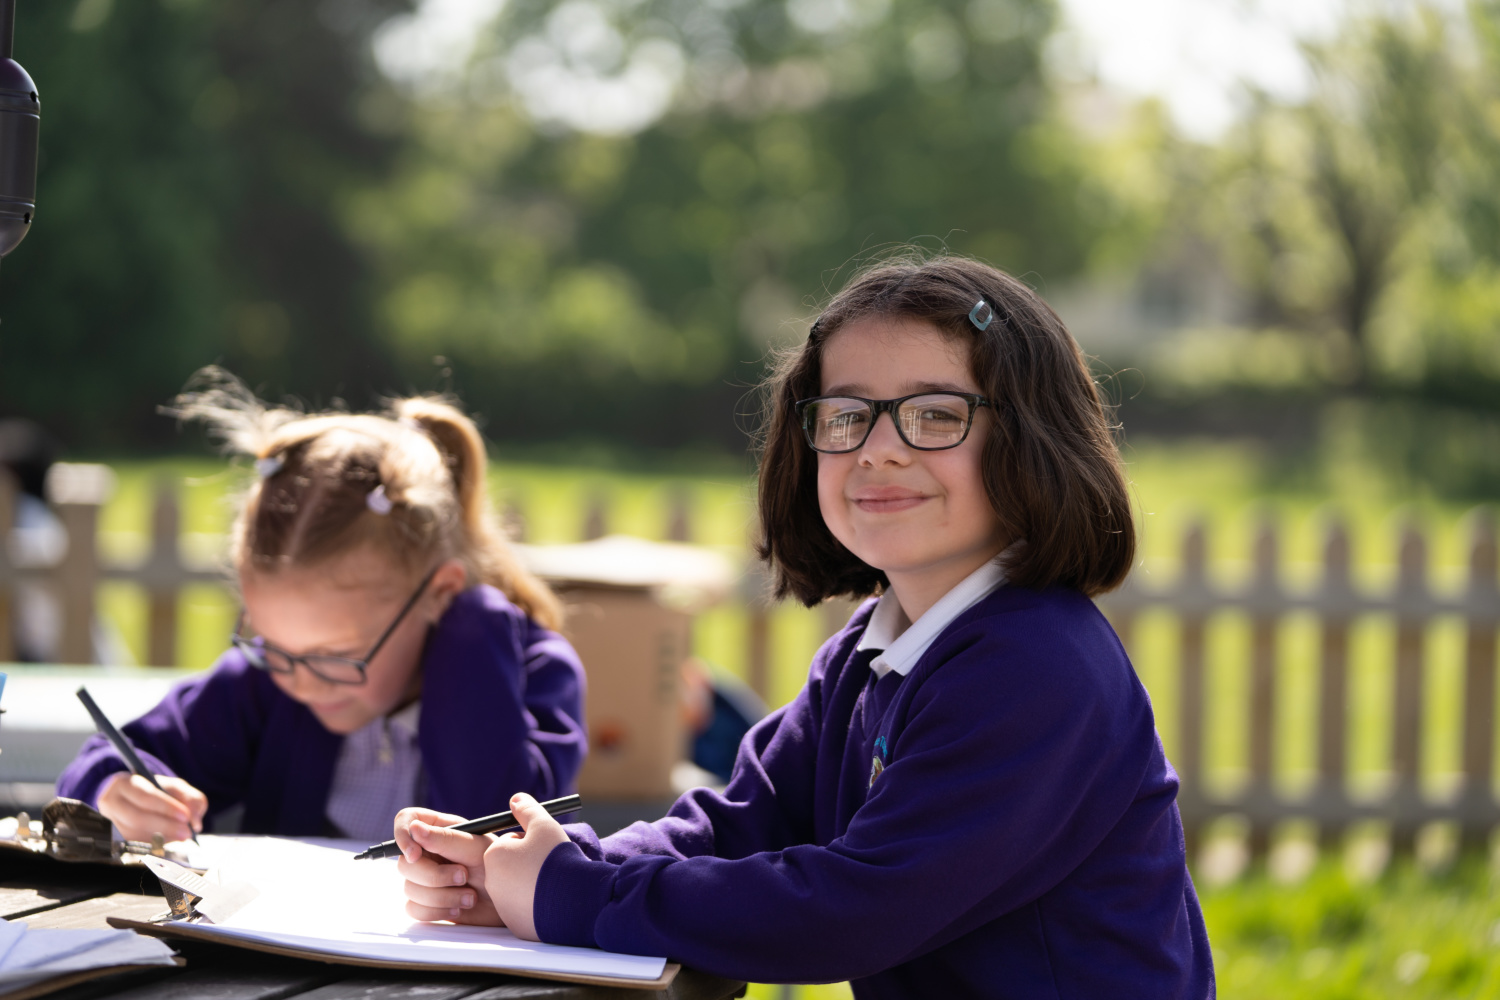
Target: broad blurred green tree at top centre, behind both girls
column 619, row 209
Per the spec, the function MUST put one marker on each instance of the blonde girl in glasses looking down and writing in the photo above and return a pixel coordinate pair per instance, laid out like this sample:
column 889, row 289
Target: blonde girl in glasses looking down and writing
column 391, row 653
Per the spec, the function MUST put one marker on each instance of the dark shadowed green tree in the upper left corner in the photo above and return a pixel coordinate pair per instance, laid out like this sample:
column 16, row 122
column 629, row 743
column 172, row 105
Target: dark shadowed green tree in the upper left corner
column 193, row 157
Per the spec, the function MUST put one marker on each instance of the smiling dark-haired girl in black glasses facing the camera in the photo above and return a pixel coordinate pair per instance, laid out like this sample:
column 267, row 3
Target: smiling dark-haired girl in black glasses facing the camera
column 968, row 798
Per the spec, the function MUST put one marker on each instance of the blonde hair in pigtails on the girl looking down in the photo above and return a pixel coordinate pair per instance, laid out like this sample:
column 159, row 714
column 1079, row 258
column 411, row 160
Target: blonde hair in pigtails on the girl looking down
column 409, row 482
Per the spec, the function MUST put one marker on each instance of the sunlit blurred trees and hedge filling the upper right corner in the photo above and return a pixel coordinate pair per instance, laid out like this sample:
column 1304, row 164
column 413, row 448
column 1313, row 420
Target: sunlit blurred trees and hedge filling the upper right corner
column 1360, row 230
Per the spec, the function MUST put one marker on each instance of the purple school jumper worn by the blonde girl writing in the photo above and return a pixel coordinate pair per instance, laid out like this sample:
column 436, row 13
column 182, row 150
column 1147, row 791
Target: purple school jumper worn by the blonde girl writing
column 502, row 713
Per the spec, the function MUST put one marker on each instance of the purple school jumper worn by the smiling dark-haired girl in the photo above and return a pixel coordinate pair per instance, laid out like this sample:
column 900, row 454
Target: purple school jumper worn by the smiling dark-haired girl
column 1001, row 822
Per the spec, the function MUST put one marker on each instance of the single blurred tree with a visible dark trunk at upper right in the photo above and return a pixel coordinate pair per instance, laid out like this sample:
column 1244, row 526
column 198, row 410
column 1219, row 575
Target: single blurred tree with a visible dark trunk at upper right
column 1328, row 199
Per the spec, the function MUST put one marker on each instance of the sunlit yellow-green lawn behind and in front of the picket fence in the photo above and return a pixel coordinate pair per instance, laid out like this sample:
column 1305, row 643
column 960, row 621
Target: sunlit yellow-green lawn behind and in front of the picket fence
column 1408, row 935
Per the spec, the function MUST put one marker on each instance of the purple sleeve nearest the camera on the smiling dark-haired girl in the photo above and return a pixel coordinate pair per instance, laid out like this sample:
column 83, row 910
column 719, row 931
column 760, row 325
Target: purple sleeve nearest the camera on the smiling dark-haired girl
column 985, row 801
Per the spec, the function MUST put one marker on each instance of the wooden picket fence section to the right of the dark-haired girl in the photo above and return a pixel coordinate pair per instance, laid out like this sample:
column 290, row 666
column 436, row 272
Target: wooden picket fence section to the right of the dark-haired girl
column 1337, row 605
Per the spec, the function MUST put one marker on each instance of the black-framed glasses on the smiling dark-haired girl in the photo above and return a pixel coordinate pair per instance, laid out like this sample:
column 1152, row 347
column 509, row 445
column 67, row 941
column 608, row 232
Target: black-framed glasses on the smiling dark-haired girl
column 928, row 422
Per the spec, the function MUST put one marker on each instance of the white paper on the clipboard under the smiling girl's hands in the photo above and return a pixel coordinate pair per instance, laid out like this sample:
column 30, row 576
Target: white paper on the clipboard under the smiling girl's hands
column 314, row 896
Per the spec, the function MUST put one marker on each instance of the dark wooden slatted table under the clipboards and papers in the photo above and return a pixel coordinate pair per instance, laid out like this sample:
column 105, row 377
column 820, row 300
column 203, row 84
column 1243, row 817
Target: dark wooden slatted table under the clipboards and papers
column 47, row 893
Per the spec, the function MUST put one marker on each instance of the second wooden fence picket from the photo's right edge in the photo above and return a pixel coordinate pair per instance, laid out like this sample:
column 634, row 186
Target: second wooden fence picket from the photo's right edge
column 1406, row 746
